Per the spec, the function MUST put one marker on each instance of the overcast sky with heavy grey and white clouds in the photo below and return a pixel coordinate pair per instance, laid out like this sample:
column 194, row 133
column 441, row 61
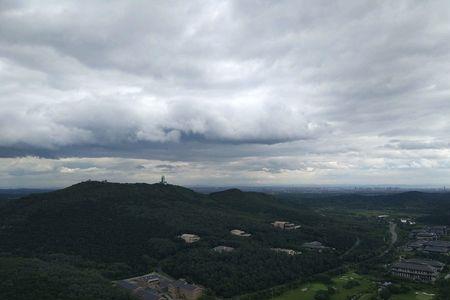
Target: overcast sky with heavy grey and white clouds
column 225, row 92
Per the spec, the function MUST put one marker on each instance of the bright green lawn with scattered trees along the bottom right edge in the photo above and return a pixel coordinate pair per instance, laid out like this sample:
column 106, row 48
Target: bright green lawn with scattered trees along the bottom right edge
column 365, row 290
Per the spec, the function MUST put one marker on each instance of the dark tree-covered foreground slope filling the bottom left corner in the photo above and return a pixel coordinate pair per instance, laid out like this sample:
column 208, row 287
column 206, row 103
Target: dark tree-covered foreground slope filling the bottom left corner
column 36, row 279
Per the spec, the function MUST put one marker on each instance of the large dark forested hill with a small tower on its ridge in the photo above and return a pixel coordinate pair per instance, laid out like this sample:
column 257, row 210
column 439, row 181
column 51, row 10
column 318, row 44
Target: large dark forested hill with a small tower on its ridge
column 119, row 230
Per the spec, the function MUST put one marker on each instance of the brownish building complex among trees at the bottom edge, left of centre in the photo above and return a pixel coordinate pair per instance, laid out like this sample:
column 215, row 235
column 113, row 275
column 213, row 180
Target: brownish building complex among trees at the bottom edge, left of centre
column 155, row 286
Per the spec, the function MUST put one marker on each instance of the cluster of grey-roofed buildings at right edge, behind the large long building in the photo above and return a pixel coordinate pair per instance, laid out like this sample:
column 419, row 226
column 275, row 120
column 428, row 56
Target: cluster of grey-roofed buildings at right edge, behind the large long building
column 428, row 240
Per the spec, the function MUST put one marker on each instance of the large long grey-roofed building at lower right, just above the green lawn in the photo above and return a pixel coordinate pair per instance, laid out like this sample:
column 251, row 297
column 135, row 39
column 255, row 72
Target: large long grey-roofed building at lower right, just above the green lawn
column 417, row 269
